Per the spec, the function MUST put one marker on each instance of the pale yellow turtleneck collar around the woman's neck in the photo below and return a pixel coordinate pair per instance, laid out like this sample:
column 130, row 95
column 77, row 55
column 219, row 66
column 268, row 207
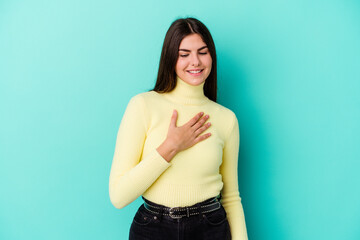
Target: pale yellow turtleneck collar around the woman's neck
column 186, row 93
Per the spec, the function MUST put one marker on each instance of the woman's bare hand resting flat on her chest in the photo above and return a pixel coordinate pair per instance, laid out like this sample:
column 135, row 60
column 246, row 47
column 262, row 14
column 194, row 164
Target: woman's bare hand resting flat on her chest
column 184, row 137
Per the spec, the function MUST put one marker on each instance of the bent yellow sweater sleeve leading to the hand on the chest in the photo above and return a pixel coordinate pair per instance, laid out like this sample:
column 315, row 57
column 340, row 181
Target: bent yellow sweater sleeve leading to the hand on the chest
column 130, row 177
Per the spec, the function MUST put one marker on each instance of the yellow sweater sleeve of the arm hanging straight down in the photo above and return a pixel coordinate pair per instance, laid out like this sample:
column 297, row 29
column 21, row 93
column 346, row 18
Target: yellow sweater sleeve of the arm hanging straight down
column 231, row 199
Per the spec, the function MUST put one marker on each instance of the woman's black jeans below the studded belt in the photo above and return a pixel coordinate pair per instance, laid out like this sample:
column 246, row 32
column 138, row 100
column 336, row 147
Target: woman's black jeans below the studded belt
column 150, row 226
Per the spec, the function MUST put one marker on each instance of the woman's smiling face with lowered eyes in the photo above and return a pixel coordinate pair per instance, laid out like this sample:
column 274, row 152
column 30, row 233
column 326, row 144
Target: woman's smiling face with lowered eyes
column 194, row 56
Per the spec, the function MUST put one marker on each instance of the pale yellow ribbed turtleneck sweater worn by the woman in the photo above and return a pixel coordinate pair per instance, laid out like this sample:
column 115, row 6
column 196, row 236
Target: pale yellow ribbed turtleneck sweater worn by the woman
column 193, row 175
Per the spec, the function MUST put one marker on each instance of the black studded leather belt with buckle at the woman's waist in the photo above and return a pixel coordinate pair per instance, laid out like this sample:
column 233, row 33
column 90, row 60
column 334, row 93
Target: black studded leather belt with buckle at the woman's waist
column 179, row 212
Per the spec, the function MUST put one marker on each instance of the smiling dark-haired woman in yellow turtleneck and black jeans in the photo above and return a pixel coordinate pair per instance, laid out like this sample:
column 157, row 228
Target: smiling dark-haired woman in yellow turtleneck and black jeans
column 183, row 166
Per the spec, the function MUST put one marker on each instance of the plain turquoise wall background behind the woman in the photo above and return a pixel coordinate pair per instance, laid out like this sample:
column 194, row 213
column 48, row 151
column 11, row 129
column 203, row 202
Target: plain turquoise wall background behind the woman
column 290, row 70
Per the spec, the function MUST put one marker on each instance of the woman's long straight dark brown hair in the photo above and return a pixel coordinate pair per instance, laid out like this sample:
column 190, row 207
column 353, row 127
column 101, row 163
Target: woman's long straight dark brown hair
column 179, row 29
